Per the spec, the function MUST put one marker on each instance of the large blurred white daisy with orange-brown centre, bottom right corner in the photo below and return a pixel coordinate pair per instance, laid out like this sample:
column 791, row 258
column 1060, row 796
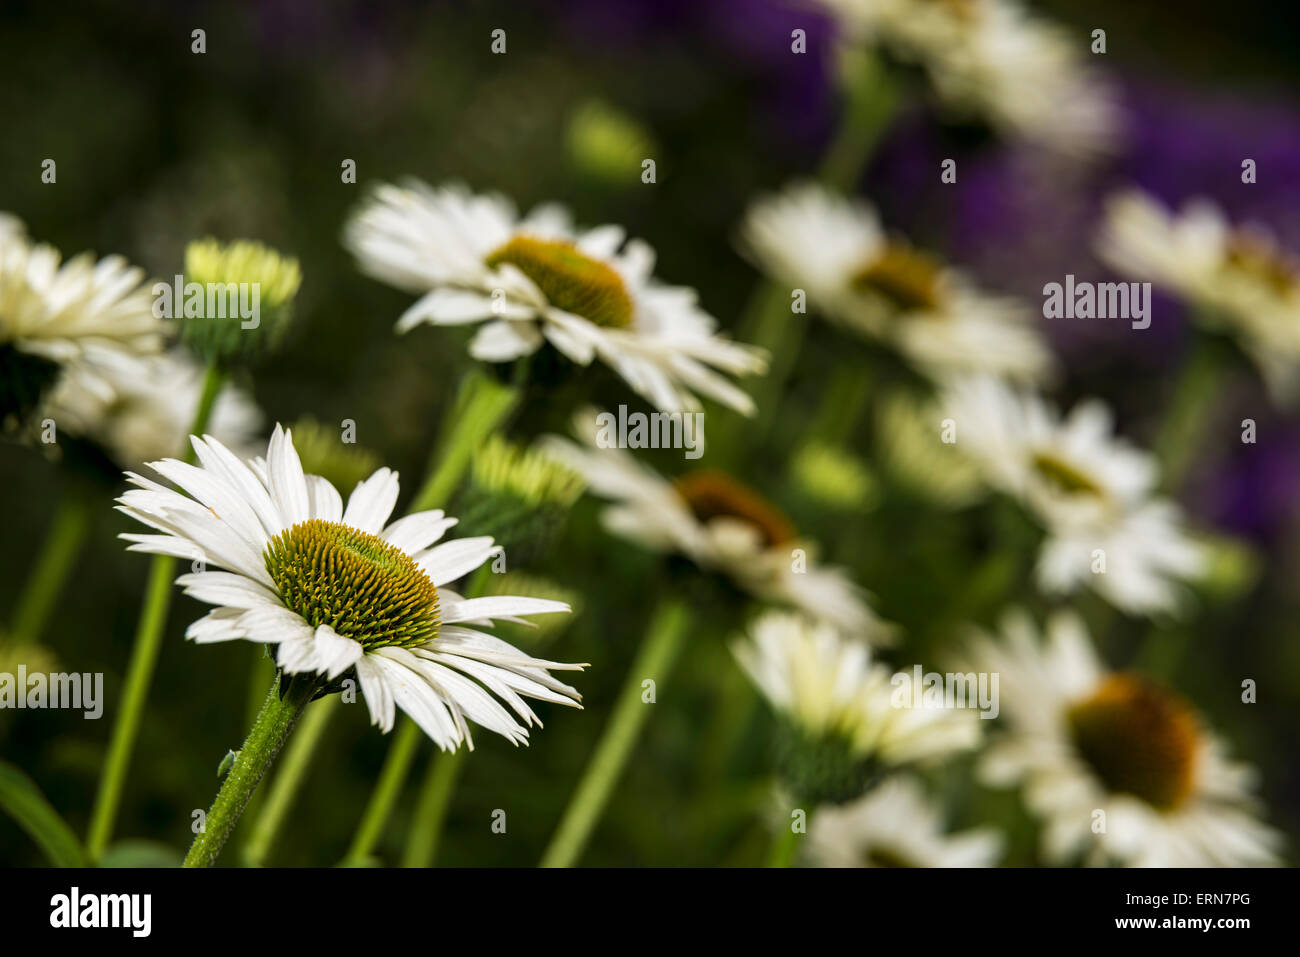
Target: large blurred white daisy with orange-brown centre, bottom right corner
column 1081, row 739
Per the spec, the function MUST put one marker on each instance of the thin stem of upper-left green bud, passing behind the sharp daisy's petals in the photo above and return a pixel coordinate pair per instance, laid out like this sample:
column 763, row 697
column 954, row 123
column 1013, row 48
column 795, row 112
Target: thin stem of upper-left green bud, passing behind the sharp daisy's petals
column 145, row 652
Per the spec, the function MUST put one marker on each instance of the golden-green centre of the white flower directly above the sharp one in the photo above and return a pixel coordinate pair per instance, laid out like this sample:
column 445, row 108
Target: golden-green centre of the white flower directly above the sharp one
column 570, row 280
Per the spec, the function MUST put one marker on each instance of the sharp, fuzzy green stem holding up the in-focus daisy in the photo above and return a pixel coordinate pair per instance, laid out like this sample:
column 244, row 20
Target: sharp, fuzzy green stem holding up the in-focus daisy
column 275, row 722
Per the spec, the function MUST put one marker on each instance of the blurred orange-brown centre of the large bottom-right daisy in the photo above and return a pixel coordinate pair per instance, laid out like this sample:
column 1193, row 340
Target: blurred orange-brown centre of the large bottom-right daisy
column 1138, row 741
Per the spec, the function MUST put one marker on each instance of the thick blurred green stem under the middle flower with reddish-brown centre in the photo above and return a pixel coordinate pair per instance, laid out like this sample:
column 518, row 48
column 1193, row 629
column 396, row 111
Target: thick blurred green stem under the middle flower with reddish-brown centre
column 655, row 661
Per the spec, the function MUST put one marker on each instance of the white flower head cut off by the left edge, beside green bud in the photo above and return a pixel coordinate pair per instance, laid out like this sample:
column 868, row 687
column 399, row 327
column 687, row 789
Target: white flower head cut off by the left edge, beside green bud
column 54, row 313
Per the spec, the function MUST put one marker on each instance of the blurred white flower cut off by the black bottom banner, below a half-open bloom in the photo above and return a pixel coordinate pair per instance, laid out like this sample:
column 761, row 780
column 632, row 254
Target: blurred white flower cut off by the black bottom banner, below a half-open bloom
column 896, row 825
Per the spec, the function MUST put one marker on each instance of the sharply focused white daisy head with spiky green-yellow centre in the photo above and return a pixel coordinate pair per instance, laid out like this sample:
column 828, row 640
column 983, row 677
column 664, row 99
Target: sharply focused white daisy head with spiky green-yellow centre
column 336, row 588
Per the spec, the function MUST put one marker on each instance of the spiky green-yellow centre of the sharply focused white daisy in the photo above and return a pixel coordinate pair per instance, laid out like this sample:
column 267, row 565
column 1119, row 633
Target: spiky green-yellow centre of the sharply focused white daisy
column 358, row 584
